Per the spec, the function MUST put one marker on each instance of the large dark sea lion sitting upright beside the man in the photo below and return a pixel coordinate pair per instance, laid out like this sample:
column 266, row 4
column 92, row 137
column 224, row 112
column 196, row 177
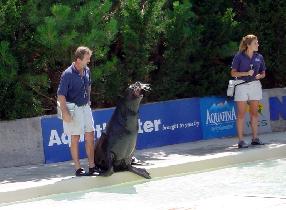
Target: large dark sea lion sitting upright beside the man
column 115, row 148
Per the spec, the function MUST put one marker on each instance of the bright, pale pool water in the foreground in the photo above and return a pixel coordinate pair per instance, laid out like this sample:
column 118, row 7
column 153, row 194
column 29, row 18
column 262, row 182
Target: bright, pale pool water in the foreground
column 258, row 185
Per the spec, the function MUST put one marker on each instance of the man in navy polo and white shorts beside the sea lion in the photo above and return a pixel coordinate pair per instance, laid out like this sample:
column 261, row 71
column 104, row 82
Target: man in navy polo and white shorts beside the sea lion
column 74, row 99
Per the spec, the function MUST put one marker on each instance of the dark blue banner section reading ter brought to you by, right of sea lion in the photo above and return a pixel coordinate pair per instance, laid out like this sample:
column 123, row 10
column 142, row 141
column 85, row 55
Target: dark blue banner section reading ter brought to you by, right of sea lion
column 169, row 122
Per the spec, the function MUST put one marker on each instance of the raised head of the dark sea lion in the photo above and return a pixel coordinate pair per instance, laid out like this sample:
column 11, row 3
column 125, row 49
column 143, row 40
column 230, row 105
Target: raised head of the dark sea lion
column 134, row 94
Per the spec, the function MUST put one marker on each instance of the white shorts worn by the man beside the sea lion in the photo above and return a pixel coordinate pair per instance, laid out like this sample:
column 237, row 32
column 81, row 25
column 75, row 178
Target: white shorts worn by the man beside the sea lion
column 82, row 121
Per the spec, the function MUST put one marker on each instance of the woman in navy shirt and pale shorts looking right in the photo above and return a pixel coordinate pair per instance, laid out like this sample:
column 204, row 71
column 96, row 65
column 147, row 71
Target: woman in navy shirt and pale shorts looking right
column 249, row 66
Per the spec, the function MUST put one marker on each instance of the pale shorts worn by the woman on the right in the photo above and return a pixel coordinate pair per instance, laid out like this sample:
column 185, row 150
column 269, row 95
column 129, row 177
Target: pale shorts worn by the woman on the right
column 249, row 91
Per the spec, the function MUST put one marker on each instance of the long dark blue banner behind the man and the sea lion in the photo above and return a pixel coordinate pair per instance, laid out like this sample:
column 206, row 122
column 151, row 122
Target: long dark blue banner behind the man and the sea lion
column 162, row 123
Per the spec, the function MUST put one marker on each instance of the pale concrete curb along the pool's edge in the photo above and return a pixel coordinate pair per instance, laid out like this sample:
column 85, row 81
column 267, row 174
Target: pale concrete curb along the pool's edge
column 271, row 151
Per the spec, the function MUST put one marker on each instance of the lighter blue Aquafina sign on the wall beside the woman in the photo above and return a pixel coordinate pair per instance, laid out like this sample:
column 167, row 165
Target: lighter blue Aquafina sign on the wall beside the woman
column 218, row 117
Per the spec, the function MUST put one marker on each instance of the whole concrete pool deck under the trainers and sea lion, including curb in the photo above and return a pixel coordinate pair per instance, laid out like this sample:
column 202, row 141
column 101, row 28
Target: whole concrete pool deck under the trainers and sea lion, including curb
column 29, row 182
